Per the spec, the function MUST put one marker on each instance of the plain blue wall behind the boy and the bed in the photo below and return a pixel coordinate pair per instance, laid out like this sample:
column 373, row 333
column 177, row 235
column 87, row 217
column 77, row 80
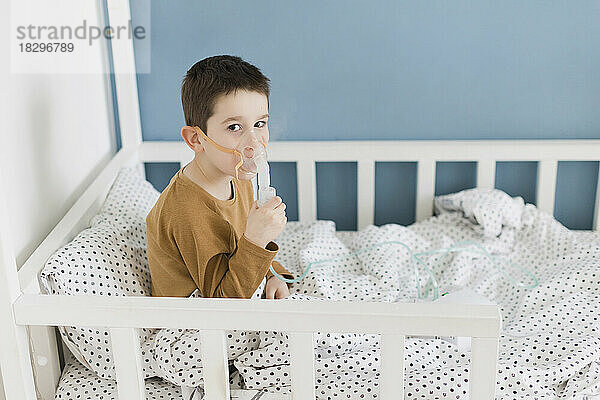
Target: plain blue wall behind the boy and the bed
column 396, row 70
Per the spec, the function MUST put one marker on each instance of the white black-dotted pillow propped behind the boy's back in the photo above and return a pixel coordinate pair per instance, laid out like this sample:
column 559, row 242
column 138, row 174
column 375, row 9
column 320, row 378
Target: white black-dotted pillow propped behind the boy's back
column 106, row 259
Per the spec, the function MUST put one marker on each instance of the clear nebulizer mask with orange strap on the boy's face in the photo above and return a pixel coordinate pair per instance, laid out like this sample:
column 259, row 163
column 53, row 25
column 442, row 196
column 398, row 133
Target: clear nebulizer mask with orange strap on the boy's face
column 251, row 152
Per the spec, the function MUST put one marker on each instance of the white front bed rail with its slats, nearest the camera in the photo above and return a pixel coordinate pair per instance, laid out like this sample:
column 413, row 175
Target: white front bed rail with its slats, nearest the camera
column 394, row 321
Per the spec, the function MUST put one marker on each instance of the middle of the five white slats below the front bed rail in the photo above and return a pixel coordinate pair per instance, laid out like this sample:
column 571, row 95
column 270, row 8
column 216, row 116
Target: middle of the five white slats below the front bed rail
column 302, row 366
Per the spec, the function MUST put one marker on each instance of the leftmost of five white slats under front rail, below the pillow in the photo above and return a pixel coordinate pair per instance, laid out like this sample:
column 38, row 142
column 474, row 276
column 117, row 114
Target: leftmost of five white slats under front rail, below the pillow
column 128, row 363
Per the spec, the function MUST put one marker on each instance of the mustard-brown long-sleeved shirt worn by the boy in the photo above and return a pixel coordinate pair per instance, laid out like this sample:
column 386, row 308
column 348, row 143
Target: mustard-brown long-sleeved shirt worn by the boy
column 197, row 241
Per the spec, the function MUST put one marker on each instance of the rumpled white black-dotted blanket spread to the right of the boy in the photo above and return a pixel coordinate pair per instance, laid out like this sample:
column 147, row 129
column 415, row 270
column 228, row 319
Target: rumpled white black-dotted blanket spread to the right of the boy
column 550, row 346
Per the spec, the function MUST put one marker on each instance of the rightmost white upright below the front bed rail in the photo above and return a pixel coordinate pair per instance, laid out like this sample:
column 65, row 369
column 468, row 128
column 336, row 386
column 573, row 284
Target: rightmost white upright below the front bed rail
column 482, row 375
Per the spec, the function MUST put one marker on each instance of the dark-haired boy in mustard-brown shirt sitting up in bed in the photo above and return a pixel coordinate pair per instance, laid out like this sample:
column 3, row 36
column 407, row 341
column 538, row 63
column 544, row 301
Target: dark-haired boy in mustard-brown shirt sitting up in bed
column 205, row 231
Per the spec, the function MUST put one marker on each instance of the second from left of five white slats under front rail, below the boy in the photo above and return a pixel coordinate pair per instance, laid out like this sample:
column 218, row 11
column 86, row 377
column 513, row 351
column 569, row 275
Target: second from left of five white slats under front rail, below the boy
column 215, row 368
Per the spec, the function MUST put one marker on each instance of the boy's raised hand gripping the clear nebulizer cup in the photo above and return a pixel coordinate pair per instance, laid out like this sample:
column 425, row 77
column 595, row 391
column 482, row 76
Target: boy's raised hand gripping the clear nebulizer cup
column 265, row 223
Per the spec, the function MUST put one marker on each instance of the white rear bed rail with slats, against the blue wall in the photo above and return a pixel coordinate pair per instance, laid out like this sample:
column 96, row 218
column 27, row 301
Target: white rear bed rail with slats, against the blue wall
column 426, row 153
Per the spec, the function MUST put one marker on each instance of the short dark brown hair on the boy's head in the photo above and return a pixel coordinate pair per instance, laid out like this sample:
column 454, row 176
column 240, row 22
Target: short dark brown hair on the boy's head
column 211, row 77
